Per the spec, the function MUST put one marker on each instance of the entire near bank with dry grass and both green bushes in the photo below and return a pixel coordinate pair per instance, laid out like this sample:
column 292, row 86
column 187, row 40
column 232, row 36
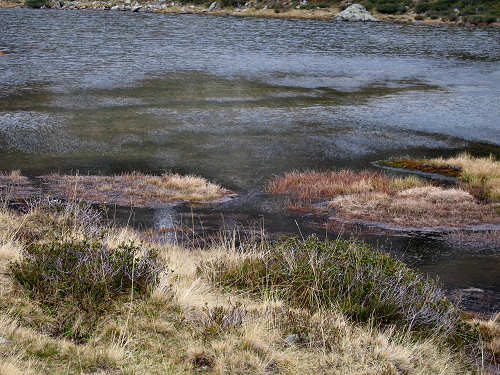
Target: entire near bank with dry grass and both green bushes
column 129, row 306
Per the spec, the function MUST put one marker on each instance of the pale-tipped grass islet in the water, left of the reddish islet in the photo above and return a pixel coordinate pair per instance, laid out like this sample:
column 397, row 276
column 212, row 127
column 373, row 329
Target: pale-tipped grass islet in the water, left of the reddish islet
column 135, row 189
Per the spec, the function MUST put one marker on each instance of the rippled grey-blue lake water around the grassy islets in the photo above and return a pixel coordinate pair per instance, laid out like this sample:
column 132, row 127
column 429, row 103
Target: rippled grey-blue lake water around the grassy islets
column 238, row 100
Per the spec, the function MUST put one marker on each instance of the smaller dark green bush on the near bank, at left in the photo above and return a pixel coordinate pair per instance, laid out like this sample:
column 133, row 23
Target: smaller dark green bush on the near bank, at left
column 77, row 282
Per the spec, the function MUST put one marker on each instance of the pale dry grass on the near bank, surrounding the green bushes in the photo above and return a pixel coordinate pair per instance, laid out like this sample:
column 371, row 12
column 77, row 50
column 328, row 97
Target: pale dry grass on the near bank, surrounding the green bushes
column 184, row 323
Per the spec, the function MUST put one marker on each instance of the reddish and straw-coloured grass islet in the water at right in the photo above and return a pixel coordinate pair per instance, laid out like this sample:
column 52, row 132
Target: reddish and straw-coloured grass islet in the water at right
column 375, row 196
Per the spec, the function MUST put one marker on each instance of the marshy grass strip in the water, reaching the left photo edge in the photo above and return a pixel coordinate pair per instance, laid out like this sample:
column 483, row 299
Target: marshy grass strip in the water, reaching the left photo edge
column 131, row 190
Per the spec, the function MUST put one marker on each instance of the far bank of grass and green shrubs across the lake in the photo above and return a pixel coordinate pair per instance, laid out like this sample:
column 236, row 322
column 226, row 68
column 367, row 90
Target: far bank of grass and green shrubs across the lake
column 478, row 12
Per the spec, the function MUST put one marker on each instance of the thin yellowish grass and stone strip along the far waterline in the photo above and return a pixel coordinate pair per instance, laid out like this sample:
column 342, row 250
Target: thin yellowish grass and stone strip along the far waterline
column 318, row 14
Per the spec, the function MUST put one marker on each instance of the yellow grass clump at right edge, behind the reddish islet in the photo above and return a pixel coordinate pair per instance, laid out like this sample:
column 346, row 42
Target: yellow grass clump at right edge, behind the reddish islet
column 480, row 173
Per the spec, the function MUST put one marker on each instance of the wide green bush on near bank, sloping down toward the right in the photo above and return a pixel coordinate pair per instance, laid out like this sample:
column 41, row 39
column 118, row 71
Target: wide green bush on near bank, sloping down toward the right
column 364, row 283
